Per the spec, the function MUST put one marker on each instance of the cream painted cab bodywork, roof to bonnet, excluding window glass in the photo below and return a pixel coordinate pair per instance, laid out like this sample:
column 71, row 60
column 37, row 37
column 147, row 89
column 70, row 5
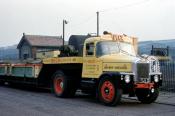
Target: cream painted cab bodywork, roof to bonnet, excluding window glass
column 93, row 67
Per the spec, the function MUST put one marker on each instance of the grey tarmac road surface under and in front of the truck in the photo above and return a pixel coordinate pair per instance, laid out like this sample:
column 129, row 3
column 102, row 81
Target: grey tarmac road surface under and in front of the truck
column 38, row 102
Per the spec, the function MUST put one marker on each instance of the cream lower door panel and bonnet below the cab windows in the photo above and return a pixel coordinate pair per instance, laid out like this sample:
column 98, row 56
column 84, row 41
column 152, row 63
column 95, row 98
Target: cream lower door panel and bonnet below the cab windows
column 93, row 67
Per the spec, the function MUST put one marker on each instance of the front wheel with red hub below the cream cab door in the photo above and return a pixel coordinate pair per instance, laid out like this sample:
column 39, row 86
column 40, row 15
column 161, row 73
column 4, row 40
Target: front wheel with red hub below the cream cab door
column 108, row 92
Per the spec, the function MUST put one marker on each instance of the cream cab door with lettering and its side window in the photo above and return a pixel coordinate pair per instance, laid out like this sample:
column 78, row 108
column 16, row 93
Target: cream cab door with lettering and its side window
column 91, row 64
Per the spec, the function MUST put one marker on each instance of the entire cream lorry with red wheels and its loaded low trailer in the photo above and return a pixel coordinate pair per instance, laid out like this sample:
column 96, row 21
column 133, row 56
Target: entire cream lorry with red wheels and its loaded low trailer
column 106, row 66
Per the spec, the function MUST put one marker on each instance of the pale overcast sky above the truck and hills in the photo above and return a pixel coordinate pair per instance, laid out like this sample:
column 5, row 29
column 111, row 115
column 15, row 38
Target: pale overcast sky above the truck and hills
column 145, row 19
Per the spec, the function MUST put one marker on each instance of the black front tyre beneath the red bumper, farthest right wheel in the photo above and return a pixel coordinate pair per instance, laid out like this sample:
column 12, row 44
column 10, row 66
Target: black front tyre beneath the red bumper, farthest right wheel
column 146, row 96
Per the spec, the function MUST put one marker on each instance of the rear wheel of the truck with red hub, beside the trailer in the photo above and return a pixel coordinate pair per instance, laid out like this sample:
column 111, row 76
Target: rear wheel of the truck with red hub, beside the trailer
column 62, row 85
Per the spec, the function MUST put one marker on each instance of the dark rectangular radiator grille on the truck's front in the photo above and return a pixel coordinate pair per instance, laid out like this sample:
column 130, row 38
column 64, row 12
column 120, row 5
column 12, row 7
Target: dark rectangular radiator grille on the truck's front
column 143, row 70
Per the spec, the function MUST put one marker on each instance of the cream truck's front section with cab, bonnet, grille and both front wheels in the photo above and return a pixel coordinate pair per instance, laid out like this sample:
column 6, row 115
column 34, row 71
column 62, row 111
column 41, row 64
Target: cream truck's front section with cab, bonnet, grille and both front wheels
column 111, row 61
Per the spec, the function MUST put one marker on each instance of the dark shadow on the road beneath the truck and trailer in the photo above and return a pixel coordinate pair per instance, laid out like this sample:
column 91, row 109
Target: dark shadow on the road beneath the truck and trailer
column 89, row 99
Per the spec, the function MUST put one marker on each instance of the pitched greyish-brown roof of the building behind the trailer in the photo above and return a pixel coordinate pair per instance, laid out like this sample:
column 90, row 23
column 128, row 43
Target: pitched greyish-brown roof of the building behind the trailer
column 41, row 41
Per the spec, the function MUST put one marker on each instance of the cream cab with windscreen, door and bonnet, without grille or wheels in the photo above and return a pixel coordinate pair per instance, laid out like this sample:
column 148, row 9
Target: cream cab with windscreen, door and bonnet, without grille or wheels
column 103, row 54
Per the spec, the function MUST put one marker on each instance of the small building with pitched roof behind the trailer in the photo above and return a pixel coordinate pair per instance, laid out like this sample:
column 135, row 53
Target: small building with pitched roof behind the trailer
column 29, row 45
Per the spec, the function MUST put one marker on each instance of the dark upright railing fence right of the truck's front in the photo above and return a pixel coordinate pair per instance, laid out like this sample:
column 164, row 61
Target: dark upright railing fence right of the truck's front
column 168, row 75
